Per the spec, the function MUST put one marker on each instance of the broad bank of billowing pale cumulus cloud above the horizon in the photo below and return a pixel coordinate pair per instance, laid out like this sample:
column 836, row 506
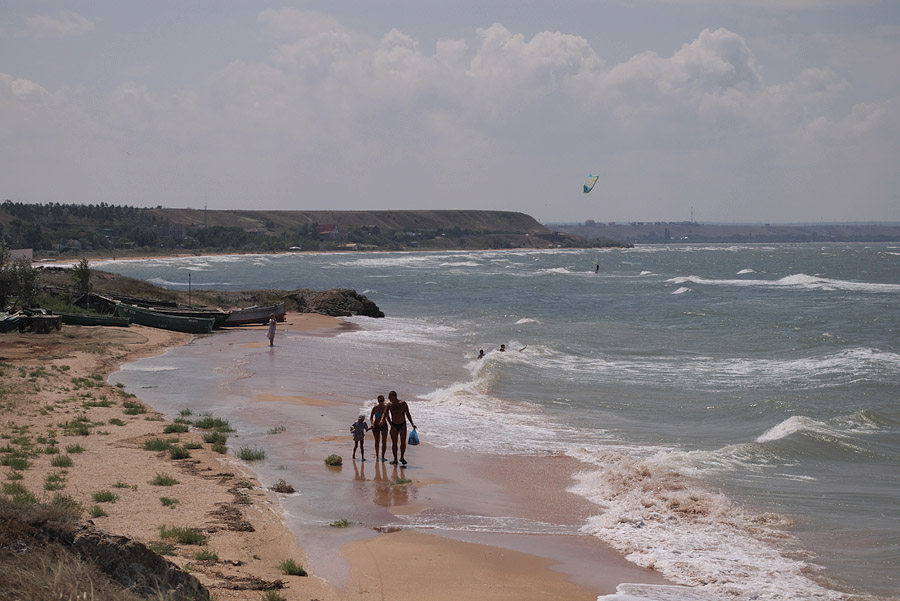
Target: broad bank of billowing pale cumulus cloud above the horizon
column 334, row 117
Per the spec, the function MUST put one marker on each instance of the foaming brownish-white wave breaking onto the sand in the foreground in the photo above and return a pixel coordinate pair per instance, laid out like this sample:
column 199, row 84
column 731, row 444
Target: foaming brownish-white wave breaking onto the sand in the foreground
column 692, row 536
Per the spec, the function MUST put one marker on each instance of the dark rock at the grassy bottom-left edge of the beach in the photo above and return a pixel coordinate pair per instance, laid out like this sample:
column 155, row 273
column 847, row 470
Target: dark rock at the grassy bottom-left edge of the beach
column 132, row 564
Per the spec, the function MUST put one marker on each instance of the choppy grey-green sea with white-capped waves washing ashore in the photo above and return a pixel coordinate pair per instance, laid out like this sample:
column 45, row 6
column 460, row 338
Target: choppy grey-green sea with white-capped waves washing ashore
column 735, row 406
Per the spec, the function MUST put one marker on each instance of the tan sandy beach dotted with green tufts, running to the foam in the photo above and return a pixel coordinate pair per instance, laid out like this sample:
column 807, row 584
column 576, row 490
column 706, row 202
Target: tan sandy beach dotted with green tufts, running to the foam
column 55, row 381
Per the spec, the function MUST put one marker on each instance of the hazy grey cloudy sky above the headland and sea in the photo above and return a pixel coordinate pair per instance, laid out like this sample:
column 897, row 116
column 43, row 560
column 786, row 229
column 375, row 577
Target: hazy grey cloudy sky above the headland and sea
column 778, row 111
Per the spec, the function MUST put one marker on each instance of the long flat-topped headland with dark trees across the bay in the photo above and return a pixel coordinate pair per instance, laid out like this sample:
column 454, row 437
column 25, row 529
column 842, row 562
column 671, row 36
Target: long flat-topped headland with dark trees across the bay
column 99, row 230
